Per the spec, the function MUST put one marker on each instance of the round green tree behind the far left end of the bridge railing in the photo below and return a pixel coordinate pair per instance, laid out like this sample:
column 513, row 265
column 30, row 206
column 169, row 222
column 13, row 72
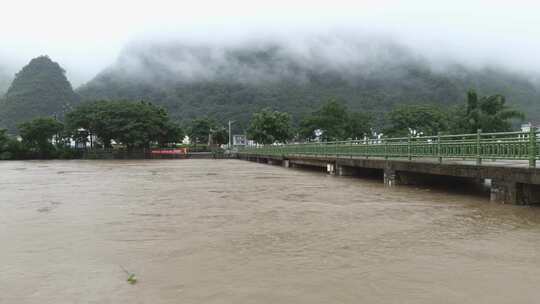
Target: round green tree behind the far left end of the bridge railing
column 268, row 127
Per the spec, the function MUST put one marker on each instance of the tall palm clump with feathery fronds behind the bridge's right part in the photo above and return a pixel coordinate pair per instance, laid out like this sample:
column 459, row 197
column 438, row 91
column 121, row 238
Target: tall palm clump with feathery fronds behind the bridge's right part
column 487, row 113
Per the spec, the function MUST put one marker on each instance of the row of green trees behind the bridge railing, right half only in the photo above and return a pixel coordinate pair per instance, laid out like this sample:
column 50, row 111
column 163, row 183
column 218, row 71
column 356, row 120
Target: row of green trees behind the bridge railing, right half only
column 334, row 122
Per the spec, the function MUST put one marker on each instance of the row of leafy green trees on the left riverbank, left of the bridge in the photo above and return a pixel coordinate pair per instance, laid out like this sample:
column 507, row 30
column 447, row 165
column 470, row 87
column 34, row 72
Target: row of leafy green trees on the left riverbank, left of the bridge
column 99, row 124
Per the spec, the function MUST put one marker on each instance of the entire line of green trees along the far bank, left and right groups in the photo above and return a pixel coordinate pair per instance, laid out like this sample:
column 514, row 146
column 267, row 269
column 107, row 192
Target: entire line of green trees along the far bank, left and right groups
column 138, row 125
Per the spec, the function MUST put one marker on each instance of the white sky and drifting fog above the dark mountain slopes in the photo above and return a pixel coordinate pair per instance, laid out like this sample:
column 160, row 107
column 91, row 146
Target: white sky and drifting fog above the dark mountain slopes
column 86, row 37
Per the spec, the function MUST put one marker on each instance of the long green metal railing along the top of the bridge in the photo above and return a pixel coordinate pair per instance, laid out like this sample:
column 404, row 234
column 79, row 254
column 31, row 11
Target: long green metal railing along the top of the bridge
column 479, row 146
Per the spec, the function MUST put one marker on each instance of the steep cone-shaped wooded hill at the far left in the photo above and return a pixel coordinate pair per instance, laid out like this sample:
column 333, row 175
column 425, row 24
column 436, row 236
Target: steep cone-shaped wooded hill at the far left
column 40, row 89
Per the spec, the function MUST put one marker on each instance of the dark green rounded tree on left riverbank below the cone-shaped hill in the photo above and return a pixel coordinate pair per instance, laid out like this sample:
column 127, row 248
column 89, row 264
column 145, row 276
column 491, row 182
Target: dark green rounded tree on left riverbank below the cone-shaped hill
column 38, row 134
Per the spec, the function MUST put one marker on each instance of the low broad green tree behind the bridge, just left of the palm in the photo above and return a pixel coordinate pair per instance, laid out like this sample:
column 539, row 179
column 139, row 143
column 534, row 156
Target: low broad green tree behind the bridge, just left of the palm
column 416, row 120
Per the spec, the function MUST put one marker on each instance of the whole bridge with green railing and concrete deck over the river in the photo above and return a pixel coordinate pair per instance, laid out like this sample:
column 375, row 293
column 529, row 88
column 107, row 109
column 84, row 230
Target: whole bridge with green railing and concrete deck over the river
column 504, row 161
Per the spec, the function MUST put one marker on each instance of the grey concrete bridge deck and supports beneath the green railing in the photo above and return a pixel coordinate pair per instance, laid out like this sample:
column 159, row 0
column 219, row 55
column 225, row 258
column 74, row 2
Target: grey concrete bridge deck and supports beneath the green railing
column 511, row 181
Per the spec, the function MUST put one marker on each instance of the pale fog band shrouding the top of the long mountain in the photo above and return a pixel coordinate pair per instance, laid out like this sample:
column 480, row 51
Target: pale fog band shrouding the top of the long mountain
column 261, row 59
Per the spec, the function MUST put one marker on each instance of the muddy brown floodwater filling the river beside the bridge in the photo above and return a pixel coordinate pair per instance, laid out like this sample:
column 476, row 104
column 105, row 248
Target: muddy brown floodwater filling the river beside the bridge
column 229, row 231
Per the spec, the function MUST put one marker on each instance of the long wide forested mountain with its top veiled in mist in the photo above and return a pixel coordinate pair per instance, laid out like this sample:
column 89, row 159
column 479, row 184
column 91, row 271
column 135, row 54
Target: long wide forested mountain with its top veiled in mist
column 233, row 82
